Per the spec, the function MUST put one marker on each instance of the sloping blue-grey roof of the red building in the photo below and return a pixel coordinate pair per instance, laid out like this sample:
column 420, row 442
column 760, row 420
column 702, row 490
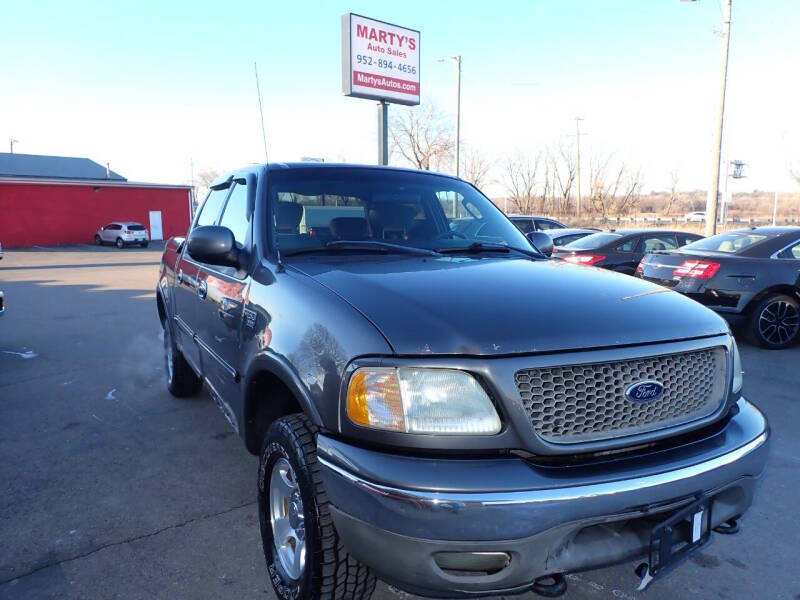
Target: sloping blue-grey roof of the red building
column 38, row 166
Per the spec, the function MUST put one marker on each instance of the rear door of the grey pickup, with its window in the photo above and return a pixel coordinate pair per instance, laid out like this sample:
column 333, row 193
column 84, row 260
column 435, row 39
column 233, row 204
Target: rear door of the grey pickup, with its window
column 187, row 286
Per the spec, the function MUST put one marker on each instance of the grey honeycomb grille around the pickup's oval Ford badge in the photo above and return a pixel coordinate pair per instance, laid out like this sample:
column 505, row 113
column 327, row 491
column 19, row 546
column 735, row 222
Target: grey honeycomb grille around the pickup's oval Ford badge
column 581, row 403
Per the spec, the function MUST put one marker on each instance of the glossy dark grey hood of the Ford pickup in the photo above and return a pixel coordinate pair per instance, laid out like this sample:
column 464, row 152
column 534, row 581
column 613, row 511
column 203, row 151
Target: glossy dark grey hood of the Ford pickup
column 504, row 305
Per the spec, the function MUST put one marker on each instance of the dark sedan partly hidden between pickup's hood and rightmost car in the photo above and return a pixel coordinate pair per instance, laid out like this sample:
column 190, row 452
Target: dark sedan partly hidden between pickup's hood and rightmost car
column 621, row 250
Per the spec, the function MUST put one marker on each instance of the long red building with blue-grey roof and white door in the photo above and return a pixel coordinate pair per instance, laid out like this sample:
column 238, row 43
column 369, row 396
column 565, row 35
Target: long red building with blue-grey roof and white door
column 51, row 200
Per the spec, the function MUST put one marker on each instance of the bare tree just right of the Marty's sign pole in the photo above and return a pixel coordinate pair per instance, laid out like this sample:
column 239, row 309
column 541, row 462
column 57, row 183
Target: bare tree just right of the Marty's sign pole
column 422, row 137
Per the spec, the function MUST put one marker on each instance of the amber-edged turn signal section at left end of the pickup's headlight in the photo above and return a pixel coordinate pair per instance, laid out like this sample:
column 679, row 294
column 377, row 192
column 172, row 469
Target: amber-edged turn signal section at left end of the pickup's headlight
column 373, row 399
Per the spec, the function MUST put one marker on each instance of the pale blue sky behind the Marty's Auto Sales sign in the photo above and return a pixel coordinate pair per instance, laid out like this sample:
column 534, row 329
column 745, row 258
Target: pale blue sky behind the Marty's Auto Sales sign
column 159, row 89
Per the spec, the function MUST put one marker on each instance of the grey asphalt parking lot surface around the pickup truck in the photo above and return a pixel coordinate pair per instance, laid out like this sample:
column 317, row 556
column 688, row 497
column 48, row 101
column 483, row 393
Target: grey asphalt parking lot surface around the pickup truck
column 112, row 488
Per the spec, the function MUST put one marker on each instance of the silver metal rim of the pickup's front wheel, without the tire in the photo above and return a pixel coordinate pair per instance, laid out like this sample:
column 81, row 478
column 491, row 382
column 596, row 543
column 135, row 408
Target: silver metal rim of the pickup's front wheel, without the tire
column 287, row 519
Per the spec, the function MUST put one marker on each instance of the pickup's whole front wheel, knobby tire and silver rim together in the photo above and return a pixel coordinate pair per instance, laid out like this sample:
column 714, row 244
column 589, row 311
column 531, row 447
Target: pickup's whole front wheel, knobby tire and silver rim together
column 305, row 557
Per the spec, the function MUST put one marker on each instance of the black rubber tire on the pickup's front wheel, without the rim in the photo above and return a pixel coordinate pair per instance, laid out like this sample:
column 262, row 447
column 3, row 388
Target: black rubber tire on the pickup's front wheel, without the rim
column 329, row 573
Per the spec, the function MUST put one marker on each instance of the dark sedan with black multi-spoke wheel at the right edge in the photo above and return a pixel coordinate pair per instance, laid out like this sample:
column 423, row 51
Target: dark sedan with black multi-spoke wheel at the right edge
column 751, row 277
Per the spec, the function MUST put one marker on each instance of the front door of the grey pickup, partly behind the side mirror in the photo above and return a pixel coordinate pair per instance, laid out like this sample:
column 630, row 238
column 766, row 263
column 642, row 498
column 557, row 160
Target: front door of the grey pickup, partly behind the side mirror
column 219, row 320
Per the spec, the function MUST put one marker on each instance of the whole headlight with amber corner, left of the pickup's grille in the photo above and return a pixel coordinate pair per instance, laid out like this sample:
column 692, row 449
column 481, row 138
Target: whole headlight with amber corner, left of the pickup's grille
column 411, row 400
